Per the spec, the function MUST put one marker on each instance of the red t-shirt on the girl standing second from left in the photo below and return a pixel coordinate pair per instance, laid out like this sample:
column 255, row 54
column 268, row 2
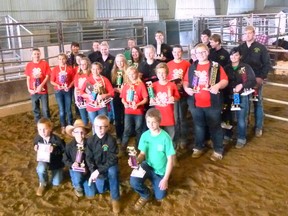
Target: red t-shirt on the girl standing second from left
column 63, row 76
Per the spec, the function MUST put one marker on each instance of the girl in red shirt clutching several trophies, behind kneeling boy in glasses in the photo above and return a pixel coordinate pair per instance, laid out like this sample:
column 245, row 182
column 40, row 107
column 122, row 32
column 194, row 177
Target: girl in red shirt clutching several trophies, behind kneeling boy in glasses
column 98, row 92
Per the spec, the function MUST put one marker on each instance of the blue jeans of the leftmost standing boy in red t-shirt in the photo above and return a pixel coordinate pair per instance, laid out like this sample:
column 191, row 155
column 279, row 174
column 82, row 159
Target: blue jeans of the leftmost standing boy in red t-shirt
column 36, row 98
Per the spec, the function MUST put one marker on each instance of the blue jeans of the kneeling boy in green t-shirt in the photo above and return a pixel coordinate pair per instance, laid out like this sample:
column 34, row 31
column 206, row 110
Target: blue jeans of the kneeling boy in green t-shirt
column 138, row 183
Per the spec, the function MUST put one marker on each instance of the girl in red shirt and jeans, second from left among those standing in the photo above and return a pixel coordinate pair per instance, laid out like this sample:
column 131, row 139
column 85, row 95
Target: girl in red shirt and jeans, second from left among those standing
column 62, row 78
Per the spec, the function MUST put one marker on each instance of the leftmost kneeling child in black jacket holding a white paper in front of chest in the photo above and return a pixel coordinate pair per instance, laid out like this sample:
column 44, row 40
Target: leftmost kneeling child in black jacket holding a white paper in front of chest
column 56, row 148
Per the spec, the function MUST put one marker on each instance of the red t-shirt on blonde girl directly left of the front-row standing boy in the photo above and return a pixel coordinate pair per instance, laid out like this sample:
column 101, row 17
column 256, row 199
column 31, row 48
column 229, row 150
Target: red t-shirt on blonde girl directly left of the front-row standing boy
column 140, row 92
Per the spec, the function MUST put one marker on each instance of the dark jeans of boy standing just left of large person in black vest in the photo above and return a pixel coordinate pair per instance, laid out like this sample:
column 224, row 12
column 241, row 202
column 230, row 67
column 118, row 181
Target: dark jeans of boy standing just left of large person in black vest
column 180, row 115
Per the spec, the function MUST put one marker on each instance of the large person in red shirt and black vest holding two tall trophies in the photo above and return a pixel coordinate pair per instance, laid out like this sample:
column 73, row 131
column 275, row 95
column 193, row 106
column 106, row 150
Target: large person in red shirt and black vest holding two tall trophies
column 202, row 83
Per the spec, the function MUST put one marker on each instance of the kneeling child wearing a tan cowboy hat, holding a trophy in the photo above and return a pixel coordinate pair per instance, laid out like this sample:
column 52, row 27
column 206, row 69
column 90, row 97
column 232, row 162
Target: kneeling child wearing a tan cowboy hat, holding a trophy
column 74, row 156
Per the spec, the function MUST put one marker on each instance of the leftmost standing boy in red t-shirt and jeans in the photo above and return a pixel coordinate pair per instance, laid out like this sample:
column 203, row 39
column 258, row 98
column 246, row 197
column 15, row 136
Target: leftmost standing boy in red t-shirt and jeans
column 37, row 72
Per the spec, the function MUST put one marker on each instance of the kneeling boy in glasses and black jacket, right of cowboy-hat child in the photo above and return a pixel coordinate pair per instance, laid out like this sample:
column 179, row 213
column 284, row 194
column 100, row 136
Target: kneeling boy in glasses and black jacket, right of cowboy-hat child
column 101, row 156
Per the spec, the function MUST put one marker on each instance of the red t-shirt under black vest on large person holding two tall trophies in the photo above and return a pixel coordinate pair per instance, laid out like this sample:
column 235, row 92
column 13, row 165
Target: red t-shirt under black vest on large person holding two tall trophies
column 202, row 99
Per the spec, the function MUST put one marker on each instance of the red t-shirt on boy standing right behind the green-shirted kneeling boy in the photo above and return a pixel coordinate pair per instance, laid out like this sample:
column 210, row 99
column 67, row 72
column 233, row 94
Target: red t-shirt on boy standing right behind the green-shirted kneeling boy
column 161, row 95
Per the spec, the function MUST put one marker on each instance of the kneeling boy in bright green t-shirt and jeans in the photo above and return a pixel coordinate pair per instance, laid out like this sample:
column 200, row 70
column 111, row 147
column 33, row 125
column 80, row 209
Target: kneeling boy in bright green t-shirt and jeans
column 155, row 158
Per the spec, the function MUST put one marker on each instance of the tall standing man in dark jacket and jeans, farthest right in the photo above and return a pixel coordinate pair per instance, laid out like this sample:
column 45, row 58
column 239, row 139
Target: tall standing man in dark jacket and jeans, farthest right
column 256, row 55
